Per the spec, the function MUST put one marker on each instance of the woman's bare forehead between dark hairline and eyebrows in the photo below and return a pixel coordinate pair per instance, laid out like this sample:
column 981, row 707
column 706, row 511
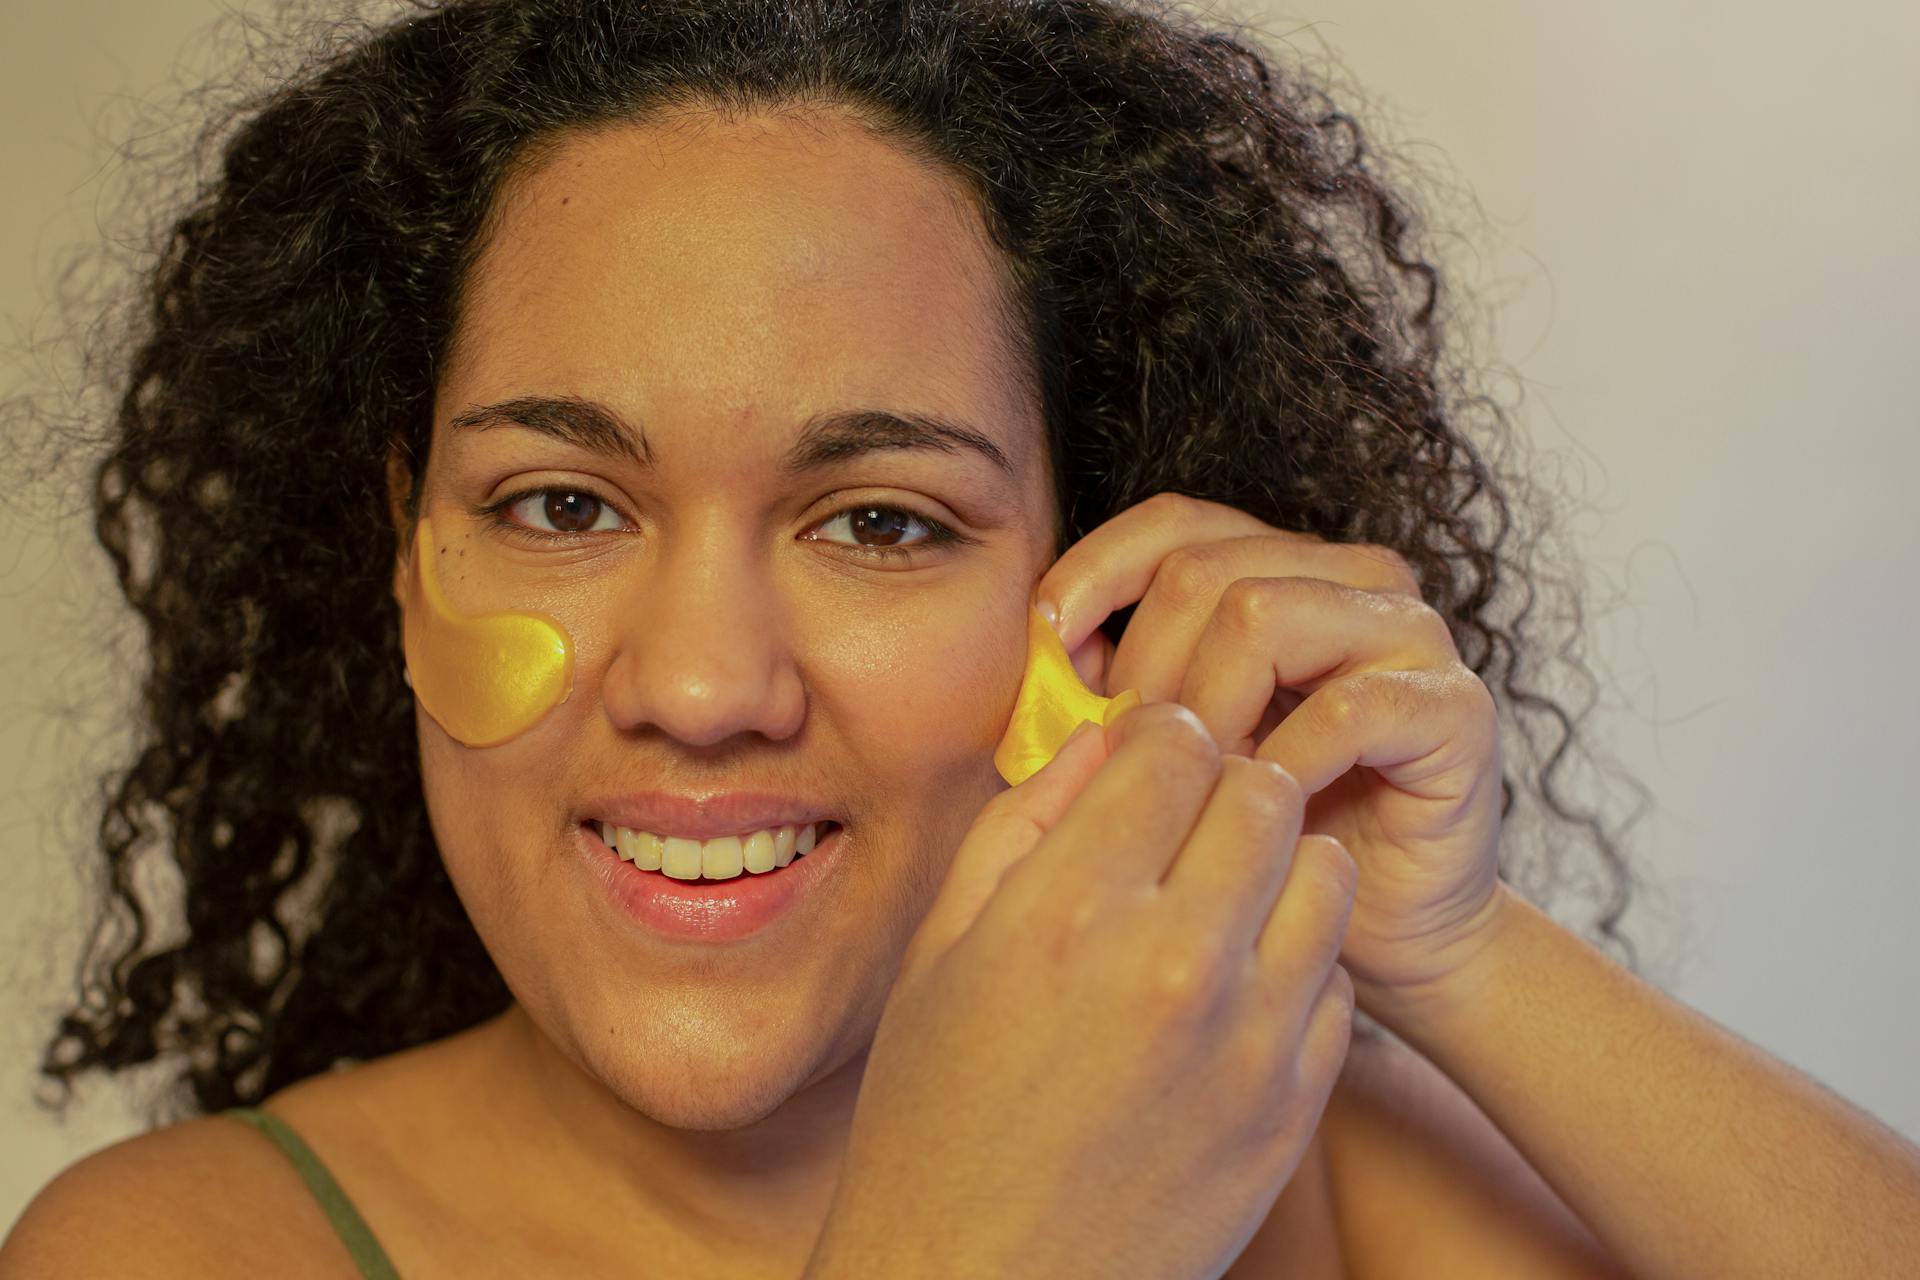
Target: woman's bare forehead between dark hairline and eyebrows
column 729, row 273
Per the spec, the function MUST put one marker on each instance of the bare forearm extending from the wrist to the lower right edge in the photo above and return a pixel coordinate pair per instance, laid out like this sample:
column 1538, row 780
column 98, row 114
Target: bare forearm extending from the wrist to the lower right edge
column 1685, row 1149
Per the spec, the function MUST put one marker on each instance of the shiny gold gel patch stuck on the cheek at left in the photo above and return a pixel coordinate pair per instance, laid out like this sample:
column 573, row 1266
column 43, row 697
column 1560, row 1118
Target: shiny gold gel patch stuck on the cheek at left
column 485, row 678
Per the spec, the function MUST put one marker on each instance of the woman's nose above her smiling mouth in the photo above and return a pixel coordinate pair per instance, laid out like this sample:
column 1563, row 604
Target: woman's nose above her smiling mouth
column 702, row 655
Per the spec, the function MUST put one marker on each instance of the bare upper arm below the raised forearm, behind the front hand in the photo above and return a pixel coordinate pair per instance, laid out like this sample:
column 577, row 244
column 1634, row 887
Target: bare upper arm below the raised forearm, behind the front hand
column 1426, row 1185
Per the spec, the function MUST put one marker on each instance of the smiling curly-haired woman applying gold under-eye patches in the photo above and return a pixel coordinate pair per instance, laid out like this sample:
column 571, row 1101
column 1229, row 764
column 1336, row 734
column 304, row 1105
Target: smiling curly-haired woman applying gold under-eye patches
column 748, row 375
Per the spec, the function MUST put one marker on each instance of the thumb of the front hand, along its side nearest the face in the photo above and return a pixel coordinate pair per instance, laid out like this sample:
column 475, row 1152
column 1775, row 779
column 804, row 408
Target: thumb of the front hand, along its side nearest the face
column 1005, row 832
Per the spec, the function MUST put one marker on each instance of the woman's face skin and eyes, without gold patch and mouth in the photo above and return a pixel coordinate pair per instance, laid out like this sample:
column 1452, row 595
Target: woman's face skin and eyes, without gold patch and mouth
column 734, row 627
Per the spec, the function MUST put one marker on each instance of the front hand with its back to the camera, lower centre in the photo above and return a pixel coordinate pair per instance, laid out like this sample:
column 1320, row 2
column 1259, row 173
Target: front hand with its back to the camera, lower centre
column 1116, row 1030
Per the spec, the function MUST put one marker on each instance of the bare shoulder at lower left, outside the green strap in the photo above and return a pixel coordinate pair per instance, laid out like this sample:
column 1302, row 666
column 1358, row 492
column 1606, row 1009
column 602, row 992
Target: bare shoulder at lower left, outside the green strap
column 201, row 1198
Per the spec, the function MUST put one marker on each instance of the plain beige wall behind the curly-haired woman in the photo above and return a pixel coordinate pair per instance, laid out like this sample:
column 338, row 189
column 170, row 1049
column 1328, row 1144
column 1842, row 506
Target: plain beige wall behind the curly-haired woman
column 1694, row 245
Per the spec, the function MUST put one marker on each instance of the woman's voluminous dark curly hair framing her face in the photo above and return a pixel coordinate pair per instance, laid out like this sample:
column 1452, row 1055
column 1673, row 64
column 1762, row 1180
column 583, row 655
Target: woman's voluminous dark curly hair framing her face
column 1216, row 291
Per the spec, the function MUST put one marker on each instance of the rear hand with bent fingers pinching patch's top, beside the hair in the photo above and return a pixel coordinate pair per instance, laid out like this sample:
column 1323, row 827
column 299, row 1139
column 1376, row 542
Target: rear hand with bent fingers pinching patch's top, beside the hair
column 1395, row 742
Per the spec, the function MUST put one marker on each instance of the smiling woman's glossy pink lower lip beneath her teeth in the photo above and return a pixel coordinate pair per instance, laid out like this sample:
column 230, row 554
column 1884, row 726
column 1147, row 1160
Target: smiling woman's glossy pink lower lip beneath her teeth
column 708, row 911
